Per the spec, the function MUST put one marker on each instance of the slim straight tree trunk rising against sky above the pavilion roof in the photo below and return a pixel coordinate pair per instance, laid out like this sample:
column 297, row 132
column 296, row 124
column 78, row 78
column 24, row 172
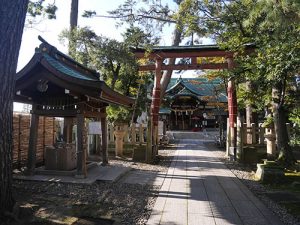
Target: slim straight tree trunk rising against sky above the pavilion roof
column 73, row 25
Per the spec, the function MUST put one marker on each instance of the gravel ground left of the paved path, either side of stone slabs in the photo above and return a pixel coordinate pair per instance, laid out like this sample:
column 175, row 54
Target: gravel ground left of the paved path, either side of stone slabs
column 126, row 203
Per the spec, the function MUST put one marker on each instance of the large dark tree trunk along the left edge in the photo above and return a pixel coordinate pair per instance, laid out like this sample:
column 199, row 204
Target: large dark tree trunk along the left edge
column 12, row 19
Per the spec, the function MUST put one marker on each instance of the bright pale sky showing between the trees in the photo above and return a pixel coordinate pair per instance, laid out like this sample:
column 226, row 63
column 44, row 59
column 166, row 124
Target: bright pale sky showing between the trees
column 50, row 29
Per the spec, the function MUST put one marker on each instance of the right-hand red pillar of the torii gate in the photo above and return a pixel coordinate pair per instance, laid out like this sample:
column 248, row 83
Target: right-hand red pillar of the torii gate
column 232, row 109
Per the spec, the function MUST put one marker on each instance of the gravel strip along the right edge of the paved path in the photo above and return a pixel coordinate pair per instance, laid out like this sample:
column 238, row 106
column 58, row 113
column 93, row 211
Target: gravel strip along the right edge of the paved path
column 246, row 175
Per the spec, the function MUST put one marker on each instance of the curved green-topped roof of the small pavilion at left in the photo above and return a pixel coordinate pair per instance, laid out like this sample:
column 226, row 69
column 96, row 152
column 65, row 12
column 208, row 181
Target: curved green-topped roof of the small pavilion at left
column 62, row 77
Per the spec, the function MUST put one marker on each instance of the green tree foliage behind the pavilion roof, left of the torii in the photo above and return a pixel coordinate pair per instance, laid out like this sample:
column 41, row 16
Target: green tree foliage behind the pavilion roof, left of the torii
column 116, row 64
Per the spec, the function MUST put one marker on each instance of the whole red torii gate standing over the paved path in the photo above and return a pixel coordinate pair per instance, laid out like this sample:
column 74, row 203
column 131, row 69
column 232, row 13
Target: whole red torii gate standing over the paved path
column 159, row 54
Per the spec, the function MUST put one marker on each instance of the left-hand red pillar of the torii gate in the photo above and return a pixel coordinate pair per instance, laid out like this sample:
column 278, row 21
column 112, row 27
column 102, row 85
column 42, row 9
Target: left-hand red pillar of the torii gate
column 155, row 106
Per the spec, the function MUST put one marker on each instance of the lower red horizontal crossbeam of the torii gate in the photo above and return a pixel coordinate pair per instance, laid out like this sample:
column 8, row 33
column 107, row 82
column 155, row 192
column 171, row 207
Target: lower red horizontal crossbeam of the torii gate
column 209, row 66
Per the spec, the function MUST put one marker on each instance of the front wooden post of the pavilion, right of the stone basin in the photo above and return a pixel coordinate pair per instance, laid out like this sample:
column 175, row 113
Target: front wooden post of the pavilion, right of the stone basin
column 81, row 154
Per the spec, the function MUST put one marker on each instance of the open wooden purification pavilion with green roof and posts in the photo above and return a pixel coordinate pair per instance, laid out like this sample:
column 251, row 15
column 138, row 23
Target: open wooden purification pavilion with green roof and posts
column 58, row 86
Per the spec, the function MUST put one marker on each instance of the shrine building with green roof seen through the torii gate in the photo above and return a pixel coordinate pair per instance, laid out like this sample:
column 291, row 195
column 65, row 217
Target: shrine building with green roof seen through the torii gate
column 195, row 103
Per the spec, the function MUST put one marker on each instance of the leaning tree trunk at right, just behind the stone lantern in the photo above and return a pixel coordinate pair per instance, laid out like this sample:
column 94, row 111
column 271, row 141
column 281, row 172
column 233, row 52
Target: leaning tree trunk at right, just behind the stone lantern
column 285, row 152
